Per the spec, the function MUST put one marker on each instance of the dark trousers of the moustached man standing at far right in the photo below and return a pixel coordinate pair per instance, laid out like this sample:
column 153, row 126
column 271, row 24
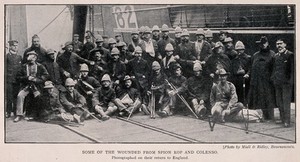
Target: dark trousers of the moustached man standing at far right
column 283, row 100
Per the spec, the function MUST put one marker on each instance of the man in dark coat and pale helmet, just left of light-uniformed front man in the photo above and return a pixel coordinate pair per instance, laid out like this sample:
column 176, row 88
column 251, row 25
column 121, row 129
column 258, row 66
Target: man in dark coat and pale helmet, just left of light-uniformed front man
column 198, row 90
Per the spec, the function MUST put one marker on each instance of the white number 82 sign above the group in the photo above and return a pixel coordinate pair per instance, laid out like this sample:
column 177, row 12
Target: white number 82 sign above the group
column 125, row 16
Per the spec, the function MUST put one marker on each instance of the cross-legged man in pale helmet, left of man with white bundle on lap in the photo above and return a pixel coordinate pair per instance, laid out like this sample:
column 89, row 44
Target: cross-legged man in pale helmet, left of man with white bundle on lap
column 104, row 99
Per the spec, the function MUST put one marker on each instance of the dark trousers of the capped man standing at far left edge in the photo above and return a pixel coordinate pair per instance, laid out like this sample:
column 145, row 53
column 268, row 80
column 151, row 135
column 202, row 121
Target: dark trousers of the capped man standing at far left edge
column 11, row 97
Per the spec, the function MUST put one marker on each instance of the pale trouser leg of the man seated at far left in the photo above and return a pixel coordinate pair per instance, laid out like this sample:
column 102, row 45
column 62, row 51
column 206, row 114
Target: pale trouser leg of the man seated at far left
column 21, row 97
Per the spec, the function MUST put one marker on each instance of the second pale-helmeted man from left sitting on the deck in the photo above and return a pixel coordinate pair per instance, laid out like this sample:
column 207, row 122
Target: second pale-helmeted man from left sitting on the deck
column 73, row 101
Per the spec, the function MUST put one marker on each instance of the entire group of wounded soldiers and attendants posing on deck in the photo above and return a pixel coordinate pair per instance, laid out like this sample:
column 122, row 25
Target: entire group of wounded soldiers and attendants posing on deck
column 152, row 73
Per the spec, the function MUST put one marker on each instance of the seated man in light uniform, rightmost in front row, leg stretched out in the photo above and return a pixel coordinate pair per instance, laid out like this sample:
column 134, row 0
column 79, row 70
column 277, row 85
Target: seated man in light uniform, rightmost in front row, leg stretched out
column 224, row 102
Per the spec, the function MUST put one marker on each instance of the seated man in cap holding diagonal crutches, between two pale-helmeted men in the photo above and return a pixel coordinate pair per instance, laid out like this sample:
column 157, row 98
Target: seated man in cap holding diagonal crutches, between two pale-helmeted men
column 176, row 80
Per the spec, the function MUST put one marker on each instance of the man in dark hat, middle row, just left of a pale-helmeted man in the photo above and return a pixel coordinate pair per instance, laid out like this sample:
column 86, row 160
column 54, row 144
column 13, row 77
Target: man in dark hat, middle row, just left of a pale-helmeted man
column 100, row 67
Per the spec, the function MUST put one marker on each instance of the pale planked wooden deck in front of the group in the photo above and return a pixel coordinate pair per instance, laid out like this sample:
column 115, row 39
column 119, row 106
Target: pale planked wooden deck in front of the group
column 142, row 129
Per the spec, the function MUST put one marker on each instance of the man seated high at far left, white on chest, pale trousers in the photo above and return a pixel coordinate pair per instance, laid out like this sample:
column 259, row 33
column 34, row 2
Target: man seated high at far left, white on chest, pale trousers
column 32, row 76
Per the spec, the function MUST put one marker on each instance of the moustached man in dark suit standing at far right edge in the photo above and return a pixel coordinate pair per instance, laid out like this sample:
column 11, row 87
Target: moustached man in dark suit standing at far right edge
column 283, row 79
